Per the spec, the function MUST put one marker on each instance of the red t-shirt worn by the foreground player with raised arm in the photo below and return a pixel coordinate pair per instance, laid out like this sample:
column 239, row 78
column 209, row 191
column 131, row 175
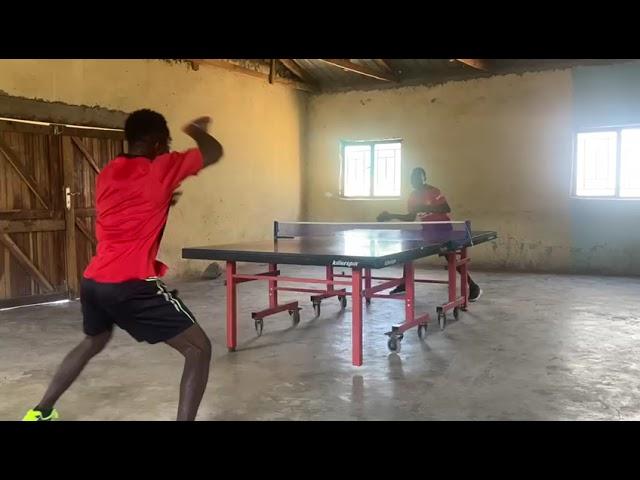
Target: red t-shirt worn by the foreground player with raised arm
column 132, row 206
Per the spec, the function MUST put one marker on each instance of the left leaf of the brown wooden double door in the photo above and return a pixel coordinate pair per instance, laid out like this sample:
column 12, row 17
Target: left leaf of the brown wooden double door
column 32, row 225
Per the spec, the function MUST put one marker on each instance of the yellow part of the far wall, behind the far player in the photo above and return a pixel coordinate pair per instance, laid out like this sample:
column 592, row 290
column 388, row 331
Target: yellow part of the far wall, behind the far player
column 499, row 148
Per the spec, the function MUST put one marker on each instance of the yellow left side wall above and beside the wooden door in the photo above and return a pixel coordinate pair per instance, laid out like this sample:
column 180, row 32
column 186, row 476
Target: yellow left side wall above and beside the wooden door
column 260, row 126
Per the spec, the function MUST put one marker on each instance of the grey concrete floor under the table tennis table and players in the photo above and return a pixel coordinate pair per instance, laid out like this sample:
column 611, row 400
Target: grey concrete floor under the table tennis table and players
column 536, row 347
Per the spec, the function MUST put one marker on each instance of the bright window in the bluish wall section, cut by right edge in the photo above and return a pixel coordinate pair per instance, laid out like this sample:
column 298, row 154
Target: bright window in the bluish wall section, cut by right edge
column 608, row 163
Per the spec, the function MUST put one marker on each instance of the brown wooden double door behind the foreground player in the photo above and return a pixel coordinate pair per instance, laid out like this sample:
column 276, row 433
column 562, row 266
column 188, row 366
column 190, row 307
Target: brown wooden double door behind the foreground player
column 47, row 207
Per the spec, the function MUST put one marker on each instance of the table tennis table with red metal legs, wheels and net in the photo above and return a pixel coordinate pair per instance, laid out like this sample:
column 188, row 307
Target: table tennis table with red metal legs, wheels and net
column 360, row 248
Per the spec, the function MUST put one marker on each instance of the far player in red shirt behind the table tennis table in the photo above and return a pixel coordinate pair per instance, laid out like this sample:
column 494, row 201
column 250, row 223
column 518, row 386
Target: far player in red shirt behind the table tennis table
column 427, row 204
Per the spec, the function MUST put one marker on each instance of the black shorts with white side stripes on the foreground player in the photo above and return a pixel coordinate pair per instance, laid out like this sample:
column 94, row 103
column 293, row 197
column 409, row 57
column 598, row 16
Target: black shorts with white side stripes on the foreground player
column 146, row 309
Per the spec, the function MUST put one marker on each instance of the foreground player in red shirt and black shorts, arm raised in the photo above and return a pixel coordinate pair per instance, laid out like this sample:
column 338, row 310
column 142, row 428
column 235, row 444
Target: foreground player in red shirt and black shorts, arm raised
column 122, row 286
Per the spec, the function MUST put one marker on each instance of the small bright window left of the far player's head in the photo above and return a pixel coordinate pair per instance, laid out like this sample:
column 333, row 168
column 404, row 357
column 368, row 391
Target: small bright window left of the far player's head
column 371, row 169
